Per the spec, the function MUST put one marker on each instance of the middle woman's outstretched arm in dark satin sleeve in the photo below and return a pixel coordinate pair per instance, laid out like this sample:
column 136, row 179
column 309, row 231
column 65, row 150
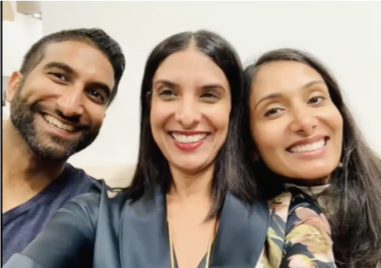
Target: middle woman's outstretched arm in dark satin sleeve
column 67, row 240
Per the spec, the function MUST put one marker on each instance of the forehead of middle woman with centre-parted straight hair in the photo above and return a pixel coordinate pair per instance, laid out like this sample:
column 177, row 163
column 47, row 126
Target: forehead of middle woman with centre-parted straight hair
column 190, row 64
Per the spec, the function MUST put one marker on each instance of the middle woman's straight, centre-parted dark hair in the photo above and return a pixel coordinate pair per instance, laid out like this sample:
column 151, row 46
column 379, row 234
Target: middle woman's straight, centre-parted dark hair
column 231, row 172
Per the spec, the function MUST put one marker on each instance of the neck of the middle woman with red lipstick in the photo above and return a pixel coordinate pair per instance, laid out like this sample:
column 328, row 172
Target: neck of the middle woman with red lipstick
column 188, row 186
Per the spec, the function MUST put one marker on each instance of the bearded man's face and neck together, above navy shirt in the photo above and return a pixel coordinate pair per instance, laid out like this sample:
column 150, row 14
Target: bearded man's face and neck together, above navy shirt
column 71, row 83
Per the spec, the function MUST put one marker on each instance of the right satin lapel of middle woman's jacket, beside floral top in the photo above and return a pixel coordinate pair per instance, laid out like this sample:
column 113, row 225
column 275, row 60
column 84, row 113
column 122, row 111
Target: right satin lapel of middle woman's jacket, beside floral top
column 241, row 234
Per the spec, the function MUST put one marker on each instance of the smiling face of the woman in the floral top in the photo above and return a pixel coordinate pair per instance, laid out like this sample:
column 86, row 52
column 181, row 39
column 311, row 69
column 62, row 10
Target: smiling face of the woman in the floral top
column 290, row 103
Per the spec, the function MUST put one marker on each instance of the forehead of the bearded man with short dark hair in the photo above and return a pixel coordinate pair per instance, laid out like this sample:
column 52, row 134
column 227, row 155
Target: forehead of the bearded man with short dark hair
column 86, row 60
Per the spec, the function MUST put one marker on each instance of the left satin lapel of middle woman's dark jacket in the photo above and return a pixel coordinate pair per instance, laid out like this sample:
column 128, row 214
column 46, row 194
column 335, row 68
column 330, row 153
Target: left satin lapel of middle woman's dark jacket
column 144, row 233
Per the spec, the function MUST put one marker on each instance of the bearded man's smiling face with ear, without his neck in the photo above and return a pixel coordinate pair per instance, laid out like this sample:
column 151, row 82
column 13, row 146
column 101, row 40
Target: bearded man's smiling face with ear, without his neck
column 72, row 84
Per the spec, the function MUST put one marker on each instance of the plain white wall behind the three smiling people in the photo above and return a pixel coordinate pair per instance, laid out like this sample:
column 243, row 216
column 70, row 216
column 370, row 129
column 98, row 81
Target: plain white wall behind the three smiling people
column 345, row 35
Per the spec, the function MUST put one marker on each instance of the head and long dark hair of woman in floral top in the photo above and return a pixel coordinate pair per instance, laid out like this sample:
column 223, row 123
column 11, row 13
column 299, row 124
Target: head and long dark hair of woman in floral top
column 305, row 136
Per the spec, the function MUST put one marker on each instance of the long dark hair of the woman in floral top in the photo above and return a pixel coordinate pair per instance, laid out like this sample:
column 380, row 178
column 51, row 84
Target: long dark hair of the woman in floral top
column 352, row 202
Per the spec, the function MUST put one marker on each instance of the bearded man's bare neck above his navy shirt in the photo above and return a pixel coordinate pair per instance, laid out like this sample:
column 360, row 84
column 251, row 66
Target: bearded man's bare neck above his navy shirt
column 24, row 173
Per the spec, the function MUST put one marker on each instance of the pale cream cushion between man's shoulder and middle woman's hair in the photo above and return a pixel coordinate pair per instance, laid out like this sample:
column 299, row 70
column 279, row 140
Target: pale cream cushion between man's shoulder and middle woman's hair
column 114, row 176
